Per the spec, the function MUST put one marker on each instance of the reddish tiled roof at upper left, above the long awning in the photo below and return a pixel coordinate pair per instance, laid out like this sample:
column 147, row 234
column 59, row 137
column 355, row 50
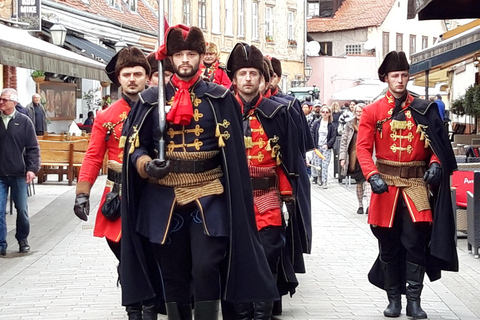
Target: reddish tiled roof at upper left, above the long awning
column 144, row 18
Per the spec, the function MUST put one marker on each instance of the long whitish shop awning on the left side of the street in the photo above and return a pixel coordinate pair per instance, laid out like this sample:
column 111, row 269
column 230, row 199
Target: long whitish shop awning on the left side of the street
column 19, row 49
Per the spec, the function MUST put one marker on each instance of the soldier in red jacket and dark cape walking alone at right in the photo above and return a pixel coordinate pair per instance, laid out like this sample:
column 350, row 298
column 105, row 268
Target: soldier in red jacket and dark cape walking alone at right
column 410, row 211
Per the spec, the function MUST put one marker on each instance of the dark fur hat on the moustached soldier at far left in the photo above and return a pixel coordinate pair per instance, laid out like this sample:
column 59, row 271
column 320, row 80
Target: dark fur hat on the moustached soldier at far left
column 126, row 58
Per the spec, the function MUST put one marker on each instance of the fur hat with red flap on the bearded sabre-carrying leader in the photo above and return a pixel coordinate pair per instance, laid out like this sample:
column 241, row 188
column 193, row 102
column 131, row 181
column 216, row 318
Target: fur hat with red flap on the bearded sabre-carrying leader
column 180, row 37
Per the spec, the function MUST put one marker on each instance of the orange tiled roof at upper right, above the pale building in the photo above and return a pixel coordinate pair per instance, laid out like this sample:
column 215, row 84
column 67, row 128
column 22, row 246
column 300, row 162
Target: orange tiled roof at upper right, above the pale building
column 353, row 14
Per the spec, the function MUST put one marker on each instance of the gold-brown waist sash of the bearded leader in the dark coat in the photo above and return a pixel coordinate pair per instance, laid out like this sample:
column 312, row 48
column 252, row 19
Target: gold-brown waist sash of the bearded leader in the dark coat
column 191, row 186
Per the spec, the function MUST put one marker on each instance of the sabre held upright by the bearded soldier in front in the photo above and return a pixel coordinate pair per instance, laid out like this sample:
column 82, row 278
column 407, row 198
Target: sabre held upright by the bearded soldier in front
column 161, row 85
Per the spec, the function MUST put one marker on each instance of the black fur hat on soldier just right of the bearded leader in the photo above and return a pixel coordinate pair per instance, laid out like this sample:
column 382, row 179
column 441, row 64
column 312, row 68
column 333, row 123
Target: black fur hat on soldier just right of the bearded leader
column 244, row 56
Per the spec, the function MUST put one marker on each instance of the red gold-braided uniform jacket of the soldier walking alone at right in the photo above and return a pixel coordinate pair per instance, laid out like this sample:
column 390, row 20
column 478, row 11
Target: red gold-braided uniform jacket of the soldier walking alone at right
column 394, row 145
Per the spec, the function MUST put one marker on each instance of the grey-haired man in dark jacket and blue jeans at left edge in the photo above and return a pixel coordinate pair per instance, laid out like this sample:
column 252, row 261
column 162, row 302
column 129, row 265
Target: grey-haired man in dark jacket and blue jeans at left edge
column 20, row 163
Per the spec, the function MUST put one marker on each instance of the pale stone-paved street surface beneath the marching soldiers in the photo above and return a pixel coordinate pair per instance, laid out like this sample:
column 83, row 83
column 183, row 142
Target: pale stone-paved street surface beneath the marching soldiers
column 71, row 275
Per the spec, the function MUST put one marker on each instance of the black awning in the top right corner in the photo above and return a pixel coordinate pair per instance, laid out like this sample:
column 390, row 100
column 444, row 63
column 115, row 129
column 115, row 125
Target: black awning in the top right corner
column 443, row 9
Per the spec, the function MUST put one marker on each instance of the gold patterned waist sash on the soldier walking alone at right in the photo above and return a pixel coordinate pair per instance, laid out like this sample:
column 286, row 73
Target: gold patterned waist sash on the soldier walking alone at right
column 415, row 188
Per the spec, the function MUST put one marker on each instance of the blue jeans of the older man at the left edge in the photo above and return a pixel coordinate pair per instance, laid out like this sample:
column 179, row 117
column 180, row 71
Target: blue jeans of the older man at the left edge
column 19, row 195
